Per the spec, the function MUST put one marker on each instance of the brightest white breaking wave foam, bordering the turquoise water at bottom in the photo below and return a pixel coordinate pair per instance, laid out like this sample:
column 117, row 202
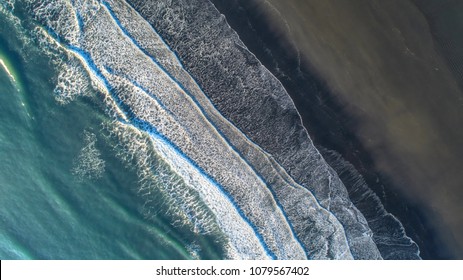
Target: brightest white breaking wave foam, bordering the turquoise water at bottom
column 136, row 146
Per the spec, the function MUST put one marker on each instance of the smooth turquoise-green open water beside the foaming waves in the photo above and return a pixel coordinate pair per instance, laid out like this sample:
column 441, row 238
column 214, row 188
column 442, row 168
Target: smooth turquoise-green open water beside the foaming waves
column 48, row 210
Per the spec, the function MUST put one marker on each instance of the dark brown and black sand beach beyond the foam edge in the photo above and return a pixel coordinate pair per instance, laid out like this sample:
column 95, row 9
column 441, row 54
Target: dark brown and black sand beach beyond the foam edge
column 393, row 73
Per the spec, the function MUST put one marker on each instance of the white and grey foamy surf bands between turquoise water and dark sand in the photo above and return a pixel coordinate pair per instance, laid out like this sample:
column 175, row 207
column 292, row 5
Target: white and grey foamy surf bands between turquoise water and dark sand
column 206, row 126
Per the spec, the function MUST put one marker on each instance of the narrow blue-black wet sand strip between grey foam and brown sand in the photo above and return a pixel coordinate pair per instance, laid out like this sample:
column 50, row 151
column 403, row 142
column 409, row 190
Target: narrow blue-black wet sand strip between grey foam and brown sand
column 327, row 121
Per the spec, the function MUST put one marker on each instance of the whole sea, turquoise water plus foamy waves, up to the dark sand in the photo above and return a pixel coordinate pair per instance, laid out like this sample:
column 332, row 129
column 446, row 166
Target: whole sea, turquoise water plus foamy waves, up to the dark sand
column 148, row 130
